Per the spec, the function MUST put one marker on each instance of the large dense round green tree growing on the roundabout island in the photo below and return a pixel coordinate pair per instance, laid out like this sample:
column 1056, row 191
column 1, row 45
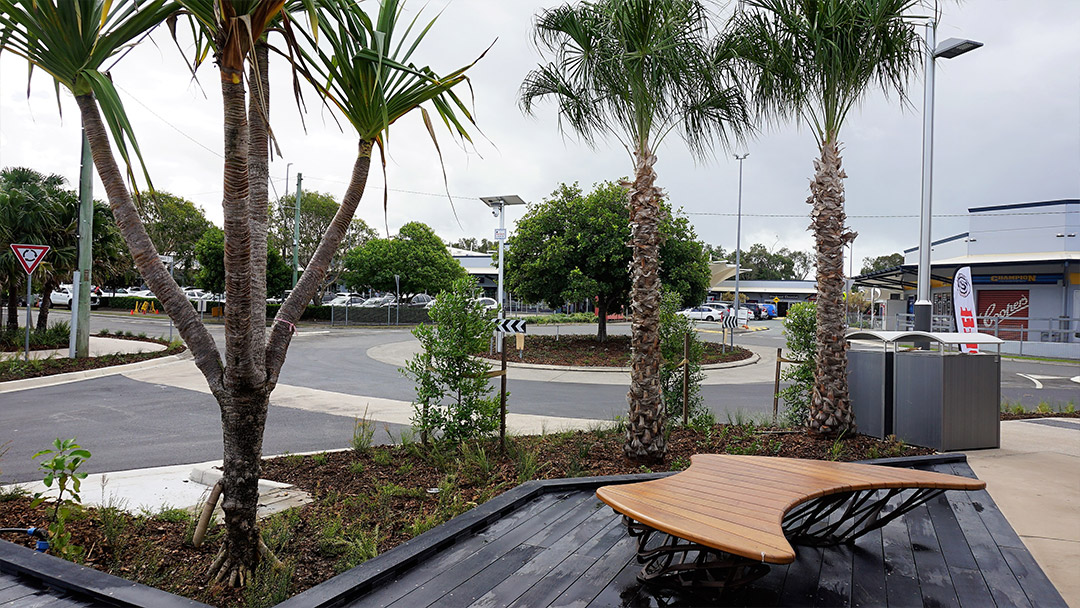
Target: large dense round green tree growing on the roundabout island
column 573, row 247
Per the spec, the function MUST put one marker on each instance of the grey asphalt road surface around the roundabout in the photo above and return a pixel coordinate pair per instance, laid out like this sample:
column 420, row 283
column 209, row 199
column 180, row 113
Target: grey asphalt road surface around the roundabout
column 130, row 425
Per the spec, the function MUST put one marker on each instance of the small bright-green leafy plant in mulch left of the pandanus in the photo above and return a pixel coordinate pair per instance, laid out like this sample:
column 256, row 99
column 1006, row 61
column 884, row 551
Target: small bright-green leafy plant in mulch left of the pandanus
column 63, row 470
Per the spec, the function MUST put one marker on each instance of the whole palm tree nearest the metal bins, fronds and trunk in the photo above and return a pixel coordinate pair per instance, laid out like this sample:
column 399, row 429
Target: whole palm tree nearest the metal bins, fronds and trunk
column 815, row 61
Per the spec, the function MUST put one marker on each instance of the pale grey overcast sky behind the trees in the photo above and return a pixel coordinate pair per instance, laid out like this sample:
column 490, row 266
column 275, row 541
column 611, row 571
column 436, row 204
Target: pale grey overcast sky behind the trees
column 1007, row 131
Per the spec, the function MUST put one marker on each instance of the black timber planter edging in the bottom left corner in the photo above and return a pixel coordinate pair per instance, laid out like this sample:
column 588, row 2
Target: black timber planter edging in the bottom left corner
column 86, row 583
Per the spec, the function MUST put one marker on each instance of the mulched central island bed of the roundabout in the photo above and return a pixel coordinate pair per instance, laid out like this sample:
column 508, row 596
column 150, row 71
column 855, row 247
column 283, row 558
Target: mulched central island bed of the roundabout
column 587, row 352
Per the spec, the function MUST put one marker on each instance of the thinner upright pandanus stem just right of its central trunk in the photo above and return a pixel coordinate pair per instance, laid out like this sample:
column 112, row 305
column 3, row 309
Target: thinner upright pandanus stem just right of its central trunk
column 259, row 115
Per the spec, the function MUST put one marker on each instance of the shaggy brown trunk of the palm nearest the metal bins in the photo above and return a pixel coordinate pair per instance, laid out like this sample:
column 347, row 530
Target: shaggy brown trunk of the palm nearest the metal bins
column 830, row 409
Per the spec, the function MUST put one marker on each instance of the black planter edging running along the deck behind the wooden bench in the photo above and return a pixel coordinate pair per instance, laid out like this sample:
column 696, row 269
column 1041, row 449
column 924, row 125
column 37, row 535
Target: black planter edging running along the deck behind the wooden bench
column 362, row 579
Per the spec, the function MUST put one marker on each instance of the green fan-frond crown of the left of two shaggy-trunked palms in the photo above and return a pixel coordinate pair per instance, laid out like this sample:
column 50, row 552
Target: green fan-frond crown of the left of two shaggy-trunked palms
column 639, row 70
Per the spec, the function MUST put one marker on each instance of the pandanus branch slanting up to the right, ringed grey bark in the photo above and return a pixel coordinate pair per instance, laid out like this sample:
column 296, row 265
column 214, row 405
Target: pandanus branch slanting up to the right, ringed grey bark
column 312, row 281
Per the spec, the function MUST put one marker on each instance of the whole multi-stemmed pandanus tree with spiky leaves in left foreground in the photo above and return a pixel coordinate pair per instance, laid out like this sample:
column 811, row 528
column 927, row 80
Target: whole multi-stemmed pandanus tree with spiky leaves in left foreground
column 72, row 40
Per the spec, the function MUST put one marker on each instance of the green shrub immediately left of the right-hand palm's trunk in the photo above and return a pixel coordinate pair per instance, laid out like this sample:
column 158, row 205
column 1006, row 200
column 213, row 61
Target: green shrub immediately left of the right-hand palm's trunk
column 801, row 327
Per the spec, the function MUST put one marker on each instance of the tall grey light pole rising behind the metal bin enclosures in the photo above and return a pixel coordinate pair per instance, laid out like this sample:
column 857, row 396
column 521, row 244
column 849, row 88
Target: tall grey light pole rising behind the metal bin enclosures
column 948, row 50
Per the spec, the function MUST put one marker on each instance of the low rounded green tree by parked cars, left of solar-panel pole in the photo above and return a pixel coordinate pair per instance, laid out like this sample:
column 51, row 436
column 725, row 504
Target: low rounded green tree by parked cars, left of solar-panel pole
column 416, row 254
